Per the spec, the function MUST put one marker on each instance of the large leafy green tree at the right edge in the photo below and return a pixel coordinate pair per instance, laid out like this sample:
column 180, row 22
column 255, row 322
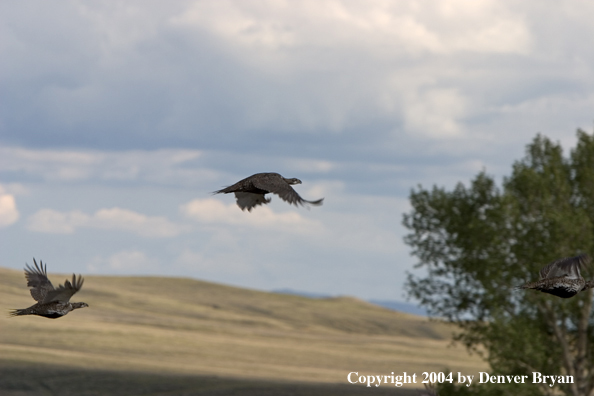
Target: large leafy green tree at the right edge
column 478, row 242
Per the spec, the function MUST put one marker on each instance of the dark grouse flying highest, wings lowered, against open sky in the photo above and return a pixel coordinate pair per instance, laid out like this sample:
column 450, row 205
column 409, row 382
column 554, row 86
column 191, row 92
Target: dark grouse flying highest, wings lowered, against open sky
column 250, row 191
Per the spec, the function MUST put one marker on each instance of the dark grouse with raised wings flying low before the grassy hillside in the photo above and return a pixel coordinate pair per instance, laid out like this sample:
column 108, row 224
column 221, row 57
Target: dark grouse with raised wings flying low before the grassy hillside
column 51, row 303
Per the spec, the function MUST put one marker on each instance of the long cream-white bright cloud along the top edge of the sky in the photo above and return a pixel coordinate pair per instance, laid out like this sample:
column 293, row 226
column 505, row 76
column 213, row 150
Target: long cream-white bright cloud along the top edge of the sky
column 448, row 26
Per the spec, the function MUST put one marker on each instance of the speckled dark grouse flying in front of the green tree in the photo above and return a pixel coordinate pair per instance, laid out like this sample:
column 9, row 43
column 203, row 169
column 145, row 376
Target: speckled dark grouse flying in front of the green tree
column 562, row 277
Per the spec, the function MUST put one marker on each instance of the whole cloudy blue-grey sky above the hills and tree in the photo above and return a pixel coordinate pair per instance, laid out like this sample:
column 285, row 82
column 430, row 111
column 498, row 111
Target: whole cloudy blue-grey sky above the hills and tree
column 118, row 119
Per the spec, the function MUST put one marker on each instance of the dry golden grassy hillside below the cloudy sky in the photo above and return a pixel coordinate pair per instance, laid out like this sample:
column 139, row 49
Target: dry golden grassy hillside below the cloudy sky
column 194, row 329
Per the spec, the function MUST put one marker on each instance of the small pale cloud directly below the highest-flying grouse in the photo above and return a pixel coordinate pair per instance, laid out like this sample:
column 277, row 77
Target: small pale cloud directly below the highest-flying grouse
column 212, row 211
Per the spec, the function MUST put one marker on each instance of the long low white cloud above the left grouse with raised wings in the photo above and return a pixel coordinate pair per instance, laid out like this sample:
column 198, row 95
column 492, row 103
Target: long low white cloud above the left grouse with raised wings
column 54, row 222
